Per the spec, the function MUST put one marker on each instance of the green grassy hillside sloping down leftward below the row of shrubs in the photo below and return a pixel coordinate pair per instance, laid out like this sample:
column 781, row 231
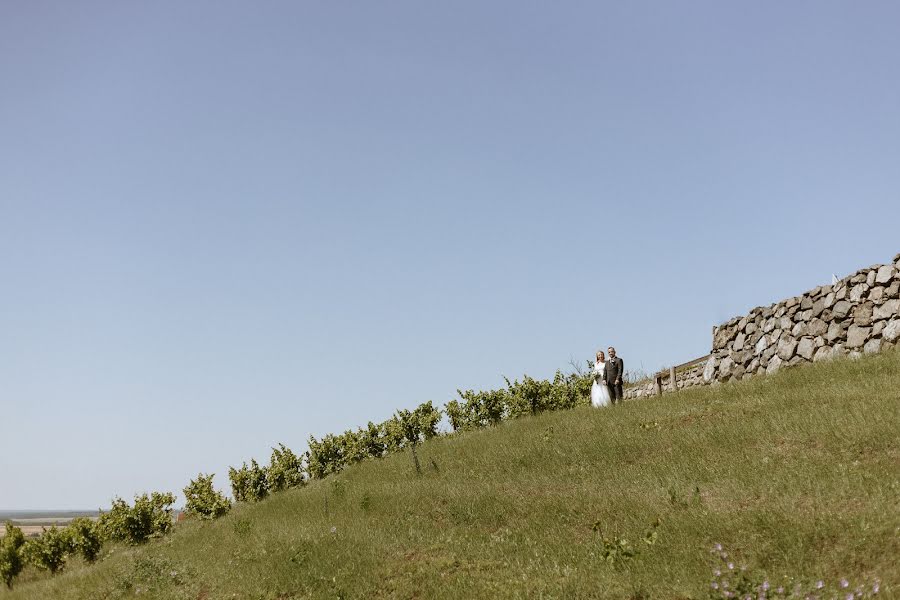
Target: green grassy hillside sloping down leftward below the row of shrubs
column 798, row 475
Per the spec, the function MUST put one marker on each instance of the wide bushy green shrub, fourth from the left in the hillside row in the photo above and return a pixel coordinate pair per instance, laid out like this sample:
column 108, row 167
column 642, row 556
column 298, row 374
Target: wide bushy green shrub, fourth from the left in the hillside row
column 151, row 516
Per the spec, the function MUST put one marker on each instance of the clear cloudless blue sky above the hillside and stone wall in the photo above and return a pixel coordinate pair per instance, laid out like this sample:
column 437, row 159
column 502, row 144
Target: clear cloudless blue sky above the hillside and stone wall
column 225, row 225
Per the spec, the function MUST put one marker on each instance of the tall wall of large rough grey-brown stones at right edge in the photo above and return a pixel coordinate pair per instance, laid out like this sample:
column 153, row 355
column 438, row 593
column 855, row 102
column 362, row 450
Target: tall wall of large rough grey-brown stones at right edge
column 859, row 314
